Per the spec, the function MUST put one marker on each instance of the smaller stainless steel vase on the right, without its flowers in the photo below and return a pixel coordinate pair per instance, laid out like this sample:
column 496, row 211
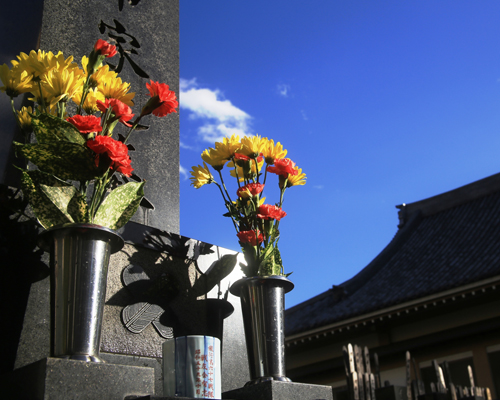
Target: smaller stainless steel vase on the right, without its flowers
column 263, row 309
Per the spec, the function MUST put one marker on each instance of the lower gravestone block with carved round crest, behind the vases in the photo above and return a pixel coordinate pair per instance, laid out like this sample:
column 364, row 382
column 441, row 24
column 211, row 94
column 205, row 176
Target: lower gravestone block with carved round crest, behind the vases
column 186, row 313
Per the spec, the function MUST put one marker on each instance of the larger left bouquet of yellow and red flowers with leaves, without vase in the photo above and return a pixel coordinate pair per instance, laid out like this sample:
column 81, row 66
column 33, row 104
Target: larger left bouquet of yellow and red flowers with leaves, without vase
column 84, row 175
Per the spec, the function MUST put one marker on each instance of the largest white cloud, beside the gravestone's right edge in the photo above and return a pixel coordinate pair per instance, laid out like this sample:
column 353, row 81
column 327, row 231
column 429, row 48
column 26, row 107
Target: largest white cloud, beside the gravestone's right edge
column 220, row 117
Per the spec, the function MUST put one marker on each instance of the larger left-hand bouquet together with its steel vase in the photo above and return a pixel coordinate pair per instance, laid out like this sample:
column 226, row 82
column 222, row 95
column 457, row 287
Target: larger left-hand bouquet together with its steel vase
column 84, row 187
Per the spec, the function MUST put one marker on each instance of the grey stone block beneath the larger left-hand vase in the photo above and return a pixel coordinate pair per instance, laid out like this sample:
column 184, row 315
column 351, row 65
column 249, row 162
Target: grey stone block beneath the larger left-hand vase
column 60, row 379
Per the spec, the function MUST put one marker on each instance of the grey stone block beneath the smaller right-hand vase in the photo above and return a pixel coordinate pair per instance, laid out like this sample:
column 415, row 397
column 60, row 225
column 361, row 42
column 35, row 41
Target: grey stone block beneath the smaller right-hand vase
column 276, row 390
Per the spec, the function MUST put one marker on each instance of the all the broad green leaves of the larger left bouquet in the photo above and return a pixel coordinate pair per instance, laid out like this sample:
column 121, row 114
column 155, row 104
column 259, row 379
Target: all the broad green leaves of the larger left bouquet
column 61, row 154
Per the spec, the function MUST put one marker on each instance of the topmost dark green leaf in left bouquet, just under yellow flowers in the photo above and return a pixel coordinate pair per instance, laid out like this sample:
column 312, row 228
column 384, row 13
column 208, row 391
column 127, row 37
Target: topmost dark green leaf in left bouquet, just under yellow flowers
column 50, row 129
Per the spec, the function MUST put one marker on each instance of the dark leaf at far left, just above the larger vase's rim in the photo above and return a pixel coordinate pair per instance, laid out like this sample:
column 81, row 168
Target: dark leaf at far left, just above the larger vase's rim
column 46, row 211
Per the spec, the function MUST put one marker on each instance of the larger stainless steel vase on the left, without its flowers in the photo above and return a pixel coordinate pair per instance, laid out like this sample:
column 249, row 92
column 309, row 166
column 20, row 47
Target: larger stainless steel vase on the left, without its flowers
column 79, row 268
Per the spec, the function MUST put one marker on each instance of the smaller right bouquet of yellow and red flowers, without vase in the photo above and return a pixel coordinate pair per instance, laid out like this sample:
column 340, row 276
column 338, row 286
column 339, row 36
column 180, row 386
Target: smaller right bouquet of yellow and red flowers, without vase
column 256, row 223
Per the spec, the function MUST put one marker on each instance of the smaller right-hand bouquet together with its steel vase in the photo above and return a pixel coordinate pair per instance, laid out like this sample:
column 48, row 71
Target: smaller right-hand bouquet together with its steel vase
column 262, row 292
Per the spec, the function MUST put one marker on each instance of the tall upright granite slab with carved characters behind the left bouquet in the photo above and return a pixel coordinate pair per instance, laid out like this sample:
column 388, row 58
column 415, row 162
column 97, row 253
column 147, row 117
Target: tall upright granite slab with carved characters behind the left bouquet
column 148, row 33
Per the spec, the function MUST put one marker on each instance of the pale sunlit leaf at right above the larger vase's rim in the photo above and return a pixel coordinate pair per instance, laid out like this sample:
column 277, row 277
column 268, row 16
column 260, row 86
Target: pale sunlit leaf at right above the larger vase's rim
column 120, row 205
